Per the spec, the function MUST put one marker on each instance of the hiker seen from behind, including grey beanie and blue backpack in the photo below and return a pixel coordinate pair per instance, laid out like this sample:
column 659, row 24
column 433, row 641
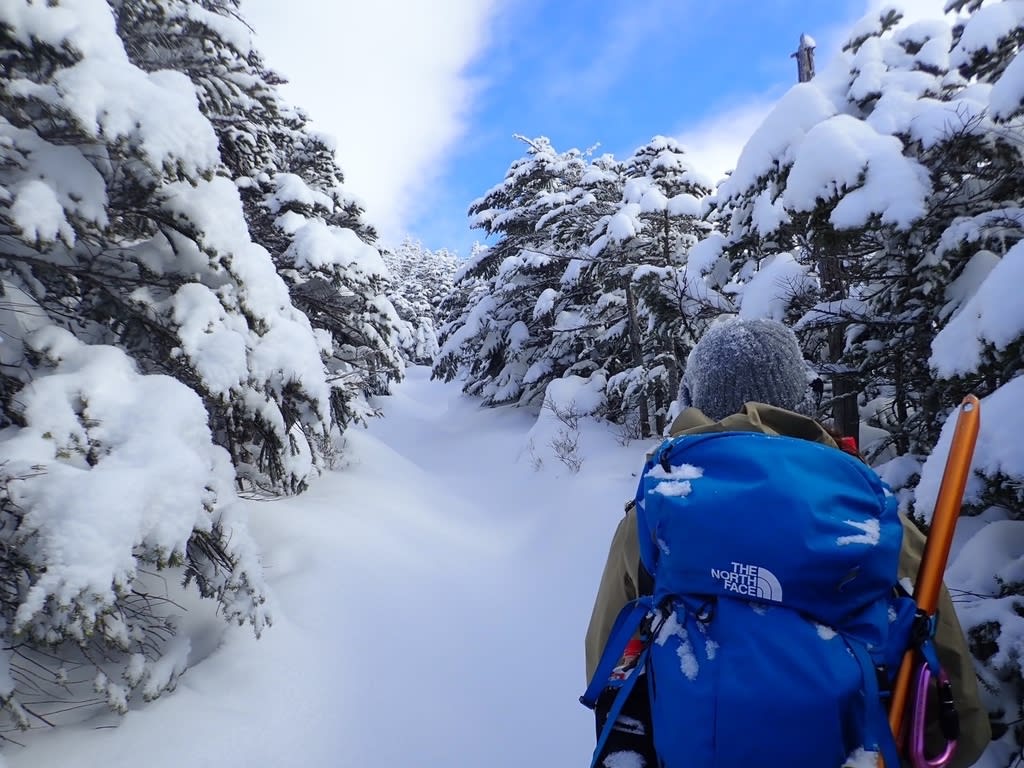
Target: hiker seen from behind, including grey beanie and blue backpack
column 777, row 497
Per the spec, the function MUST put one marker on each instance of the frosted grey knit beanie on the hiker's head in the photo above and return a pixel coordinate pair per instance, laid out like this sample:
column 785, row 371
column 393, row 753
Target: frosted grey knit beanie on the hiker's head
column 741, row 361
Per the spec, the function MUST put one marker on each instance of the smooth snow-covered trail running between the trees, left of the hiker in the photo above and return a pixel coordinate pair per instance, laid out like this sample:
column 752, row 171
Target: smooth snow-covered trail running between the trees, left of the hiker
column 431, row 605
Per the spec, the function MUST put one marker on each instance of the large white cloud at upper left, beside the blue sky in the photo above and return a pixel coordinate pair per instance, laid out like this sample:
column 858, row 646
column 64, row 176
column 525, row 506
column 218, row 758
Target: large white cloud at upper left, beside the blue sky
column 387, row 79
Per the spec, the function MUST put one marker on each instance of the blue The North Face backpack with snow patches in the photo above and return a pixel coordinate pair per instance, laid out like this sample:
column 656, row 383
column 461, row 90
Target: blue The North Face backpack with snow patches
column 774, row 617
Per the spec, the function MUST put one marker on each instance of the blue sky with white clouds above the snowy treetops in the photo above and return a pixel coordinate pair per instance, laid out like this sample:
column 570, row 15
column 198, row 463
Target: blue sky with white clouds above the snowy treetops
column 424, row 99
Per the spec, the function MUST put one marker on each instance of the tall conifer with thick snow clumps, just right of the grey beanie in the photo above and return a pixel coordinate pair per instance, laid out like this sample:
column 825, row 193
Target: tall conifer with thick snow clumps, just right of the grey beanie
column 815, row 201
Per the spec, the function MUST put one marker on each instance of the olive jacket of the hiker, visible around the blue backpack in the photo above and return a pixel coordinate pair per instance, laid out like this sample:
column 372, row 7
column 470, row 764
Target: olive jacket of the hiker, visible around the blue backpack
column 619, row 583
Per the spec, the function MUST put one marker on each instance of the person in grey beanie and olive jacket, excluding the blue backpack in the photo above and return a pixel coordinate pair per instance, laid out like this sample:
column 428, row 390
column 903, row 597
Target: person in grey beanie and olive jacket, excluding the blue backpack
column 750, row 376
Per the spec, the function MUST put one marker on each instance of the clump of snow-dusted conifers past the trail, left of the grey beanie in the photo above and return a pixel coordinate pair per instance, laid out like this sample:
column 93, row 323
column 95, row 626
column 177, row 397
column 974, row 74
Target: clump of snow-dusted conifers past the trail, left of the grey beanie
column 590, row 268
